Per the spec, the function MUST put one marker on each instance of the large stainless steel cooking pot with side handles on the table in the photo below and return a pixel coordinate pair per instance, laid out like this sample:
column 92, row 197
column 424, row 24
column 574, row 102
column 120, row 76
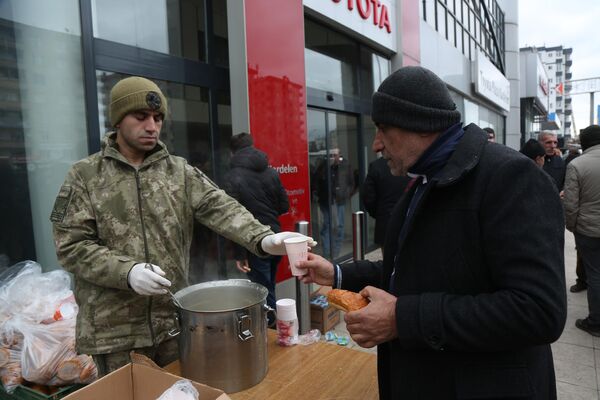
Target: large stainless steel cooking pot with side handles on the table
column 223, row 333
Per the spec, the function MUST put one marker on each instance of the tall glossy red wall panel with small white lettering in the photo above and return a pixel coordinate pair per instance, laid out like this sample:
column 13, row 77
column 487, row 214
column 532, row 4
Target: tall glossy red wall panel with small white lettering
column 277, row 100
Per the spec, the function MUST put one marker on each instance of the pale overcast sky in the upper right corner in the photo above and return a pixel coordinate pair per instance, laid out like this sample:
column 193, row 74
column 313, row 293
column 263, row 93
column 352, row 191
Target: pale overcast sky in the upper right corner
column 570, row 23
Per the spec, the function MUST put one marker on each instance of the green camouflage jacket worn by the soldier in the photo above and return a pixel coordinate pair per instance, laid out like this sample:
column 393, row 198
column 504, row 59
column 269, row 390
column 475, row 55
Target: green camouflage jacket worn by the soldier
column 108, row 216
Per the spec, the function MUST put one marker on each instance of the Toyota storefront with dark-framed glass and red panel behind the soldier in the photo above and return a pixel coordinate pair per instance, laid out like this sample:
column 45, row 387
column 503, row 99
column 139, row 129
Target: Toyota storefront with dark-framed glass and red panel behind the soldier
column 297, row 75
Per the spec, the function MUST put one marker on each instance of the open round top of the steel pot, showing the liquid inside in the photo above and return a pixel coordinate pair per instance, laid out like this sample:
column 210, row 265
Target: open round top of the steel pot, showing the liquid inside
column 221, row 296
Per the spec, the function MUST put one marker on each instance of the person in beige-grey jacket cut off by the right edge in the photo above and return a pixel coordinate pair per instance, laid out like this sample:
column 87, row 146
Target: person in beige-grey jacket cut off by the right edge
column 582, row 213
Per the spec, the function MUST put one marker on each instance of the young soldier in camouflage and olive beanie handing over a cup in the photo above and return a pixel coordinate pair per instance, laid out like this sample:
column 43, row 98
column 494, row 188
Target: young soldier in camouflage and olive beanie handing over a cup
column 123, row 222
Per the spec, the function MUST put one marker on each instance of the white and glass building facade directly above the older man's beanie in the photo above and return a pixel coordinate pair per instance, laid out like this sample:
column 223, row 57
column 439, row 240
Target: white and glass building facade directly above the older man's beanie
column 464, row 42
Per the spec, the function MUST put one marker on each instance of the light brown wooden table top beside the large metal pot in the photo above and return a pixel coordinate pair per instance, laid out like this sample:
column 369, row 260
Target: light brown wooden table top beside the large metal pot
column 319, row 371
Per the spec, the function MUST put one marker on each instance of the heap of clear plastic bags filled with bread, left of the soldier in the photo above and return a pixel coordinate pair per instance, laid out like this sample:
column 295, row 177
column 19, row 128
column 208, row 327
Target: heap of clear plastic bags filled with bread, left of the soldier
column 45, row 324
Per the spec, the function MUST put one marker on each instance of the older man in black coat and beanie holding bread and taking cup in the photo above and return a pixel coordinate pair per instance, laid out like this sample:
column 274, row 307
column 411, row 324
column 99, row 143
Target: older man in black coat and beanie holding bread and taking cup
column 471, row 290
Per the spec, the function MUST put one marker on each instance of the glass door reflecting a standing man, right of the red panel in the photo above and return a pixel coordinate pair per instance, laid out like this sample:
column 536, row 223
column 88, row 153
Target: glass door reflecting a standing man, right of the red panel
column 333, row 159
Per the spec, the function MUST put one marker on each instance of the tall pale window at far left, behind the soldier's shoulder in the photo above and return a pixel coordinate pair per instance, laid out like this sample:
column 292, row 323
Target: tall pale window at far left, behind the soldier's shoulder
column 42, row 121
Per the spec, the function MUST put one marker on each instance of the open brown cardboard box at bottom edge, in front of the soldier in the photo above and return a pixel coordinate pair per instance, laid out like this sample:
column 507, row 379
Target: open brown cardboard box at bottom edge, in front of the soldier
column 140, row 380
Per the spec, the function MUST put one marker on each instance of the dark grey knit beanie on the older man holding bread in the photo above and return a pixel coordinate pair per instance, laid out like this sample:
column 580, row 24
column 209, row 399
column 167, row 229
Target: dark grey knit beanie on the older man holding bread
column 415, row 99
